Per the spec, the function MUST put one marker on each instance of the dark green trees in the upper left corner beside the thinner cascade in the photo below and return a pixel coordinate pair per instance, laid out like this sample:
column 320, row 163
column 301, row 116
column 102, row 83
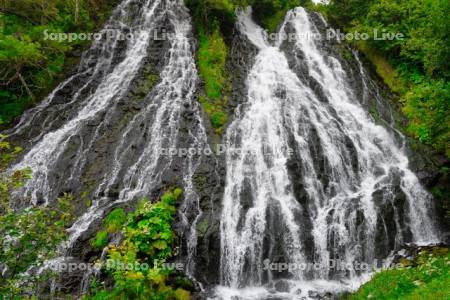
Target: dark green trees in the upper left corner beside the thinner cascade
column 30, row 62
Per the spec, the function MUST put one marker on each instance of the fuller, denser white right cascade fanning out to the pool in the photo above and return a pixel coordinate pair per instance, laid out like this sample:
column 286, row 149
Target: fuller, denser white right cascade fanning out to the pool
column 310, row 177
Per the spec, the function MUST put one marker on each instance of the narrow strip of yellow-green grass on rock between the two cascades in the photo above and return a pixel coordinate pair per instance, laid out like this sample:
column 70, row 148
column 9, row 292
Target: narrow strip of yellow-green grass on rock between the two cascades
column 212, row 57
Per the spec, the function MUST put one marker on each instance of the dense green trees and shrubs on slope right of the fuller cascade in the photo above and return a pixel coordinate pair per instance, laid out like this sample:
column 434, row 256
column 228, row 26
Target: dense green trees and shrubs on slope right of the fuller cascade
column 416, row 67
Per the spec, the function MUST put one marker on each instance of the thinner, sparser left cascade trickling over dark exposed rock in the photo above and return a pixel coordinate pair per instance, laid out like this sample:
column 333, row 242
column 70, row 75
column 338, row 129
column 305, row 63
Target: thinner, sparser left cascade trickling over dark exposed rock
column 77, row 117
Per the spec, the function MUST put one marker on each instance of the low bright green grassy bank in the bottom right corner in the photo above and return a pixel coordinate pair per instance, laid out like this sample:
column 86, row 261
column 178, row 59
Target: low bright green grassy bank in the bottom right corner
column 428, row 277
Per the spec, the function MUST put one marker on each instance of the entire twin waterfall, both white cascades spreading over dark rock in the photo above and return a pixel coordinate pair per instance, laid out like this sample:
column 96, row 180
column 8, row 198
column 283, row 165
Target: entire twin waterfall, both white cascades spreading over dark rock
column 312, row 180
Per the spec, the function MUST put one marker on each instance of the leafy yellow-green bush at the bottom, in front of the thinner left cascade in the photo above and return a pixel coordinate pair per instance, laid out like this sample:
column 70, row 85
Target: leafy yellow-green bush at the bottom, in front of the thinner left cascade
column 148, row 242
